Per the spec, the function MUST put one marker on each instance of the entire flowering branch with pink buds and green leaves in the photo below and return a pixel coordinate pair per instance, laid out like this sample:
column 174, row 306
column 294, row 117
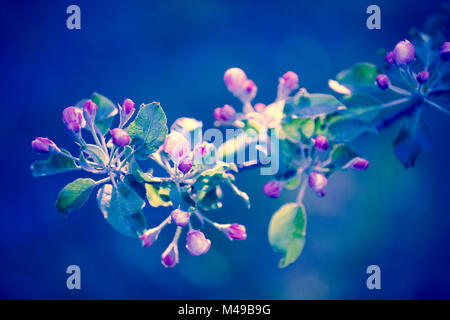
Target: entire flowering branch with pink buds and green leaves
column 310, row 137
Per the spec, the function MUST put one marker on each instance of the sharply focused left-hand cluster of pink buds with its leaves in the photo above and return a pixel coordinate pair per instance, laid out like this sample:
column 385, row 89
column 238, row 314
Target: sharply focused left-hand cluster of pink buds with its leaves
column 193, row 173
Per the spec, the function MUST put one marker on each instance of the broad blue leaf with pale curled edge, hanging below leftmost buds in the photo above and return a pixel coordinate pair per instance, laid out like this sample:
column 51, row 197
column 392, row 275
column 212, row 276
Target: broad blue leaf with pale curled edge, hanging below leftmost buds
column 122, row 207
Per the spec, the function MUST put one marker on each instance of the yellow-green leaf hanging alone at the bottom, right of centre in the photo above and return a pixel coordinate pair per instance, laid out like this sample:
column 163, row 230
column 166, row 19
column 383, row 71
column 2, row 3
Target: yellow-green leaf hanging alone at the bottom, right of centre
column 287, row 230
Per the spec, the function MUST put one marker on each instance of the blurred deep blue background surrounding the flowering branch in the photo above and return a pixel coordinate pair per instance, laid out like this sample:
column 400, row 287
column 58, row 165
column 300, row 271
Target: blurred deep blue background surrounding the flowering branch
column 176, row 52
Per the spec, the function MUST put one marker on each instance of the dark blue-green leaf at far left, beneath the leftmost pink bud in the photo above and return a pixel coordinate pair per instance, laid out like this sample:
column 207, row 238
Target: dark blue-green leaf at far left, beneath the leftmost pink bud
column 56, row 163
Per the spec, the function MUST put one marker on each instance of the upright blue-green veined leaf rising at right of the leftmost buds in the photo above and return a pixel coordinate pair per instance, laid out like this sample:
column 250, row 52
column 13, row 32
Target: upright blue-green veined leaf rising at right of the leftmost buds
column 148, row 130
